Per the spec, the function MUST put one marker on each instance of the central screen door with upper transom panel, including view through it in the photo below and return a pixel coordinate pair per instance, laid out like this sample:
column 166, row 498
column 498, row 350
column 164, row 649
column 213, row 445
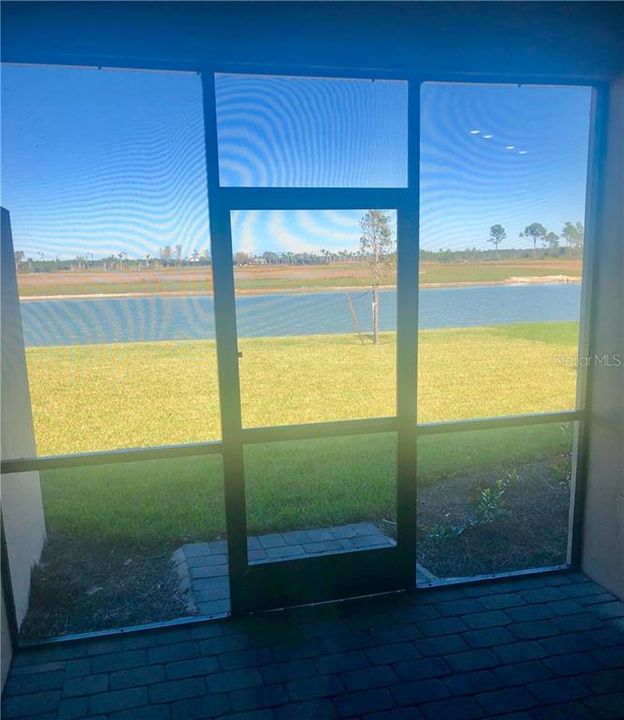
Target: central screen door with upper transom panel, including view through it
column 314, row 254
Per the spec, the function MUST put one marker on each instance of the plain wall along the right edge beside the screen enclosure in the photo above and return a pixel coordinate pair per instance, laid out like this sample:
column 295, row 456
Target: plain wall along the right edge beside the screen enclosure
column 603, row 527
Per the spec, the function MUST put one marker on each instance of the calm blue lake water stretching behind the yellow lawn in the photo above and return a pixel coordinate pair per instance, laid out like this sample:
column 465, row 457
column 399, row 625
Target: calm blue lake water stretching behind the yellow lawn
column 135, row 319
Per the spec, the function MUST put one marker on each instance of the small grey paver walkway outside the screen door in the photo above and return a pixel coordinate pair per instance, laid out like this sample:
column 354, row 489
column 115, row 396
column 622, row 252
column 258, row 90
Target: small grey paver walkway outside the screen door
column 203, row 569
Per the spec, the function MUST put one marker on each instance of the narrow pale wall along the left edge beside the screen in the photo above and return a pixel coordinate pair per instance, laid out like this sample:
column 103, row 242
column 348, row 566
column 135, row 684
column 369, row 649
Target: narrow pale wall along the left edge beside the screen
column 22, row 509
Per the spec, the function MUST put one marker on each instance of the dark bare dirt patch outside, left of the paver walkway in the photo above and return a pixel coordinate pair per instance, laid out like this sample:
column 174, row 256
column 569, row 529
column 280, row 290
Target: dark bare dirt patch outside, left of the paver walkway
column 81, row 587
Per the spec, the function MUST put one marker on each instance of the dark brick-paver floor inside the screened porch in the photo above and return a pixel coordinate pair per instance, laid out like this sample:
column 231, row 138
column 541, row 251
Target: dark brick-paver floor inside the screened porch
column 528, row 648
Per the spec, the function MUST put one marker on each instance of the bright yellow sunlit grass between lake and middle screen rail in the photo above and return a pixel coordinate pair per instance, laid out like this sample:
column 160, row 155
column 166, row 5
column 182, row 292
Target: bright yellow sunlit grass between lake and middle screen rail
column 100, row 397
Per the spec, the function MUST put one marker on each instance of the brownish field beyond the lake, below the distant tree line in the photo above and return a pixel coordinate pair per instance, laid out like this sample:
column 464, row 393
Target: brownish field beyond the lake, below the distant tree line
column 281, row 277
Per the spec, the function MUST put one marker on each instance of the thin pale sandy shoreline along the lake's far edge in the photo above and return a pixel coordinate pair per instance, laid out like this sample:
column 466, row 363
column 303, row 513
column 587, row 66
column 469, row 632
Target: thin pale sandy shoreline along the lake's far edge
column 520, row 280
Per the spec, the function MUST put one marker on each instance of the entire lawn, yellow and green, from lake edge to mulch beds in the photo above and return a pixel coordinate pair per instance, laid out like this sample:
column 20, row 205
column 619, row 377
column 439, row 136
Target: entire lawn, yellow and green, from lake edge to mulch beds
column 99, row 397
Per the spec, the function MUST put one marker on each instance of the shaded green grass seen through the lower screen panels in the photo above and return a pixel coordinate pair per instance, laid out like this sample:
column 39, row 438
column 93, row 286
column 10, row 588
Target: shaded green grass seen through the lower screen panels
column 312, row 483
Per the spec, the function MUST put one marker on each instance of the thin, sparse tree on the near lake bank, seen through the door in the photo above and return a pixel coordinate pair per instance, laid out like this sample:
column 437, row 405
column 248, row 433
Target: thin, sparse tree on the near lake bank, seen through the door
column 378, row 246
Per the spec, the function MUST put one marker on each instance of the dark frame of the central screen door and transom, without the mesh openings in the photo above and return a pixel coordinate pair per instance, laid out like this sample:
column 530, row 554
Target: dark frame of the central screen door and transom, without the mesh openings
column 348, row 573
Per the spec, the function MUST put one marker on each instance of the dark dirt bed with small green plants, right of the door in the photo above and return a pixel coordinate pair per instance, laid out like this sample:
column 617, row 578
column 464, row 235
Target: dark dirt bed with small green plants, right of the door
column 530, row 530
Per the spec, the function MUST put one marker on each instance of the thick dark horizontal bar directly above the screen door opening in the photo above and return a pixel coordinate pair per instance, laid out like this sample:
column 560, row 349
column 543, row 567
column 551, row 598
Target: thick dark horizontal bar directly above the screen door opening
column 305, row 198
